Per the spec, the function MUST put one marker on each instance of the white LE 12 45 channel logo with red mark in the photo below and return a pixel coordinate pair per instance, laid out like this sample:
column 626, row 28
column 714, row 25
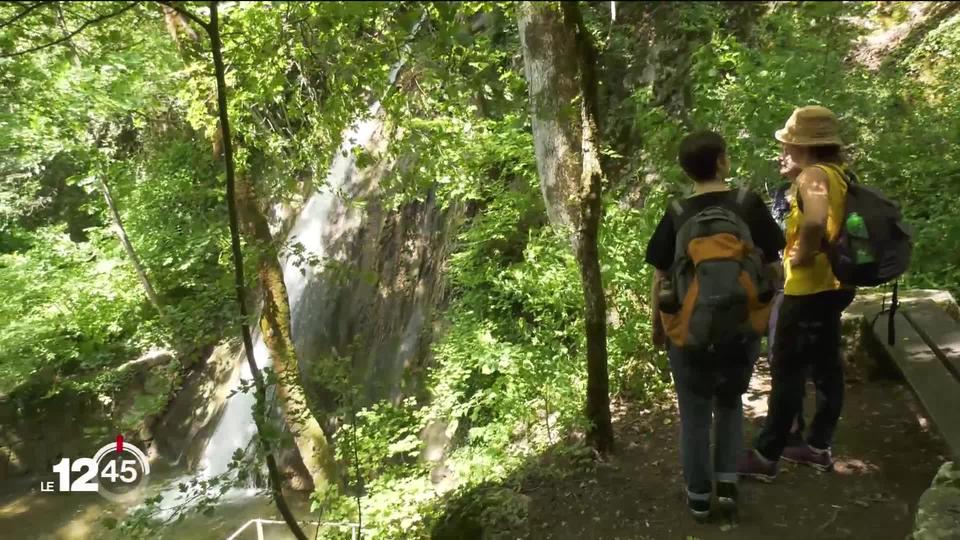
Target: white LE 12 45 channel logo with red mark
column 118, row 472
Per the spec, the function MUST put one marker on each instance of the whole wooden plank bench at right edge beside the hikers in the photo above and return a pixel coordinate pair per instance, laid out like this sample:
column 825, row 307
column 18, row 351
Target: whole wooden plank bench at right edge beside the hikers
column 926, row 350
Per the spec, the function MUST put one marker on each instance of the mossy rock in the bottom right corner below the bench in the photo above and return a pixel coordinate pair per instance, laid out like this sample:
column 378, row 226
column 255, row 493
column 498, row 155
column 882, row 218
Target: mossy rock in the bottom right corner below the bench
column 938, row 512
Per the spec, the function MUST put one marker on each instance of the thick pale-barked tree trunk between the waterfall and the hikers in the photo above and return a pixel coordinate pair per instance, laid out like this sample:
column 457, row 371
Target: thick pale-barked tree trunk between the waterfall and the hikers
column 558, row 63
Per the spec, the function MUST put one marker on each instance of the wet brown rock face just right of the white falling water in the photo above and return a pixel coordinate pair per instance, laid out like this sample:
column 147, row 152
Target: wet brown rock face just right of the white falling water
column 367, row 310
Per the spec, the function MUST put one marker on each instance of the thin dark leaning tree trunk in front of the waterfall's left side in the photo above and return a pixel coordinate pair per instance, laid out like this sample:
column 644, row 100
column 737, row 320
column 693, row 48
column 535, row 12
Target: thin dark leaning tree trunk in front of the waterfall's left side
column 260, row 386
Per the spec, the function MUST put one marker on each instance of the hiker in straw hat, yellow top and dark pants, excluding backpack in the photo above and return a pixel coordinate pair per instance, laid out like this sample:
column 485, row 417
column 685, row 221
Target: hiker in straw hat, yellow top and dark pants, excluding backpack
column 808, row 326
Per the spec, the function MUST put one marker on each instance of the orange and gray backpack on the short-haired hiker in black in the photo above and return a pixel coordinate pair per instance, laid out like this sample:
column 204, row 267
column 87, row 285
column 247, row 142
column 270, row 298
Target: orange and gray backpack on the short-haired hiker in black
column 717, row 290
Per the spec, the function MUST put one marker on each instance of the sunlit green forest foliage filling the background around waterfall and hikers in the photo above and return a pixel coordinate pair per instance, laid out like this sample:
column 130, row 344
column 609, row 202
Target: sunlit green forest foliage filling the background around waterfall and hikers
column 124, row 108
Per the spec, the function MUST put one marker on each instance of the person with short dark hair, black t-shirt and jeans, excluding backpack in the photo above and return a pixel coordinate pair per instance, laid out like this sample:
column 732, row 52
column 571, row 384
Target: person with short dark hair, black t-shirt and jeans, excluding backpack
column 709, row 385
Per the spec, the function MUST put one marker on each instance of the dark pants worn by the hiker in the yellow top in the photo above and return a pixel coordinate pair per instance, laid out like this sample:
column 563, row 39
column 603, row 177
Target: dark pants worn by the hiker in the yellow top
column 808, row 337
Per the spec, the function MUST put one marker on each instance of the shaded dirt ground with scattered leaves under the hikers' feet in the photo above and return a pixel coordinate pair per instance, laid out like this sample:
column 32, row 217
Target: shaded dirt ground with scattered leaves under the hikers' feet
column 885, row 452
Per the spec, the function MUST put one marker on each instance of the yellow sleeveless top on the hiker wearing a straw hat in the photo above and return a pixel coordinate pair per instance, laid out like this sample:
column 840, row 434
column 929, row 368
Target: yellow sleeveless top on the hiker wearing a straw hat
column 818, row 276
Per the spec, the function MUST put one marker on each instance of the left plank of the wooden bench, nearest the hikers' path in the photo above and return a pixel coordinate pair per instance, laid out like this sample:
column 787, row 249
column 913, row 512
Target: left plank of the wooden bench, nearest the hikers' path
column 935, row 387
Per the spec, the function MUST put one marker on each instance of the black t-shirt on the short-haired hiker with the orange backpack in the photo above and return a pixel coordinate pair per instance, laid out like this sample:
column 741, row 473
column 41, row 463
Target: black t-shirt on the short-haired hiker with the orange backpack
column 765, row 232
